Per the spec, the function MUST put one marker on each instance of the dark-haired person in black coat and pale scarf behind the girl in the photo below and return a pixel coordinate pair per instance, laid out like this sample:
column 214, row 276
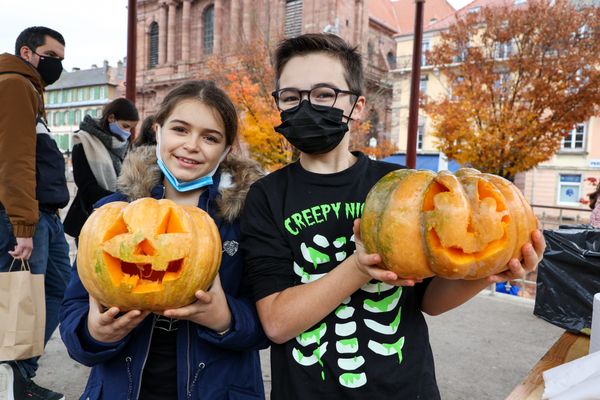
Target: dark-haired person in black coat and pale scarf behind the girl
column 98, row 153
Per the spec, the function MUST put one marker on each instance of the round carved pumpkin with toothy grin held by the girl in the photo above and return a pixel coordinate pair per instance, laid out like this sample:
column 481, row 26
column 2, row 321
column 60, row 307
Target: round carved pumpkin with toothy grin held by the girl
column 148, row 254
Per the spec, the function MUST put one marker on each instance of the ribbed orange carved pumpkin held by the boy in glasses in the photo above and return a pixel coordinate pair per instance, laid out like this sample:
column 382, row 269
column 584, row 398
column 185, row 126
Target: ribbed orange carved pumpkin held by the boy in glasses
column 462, row 226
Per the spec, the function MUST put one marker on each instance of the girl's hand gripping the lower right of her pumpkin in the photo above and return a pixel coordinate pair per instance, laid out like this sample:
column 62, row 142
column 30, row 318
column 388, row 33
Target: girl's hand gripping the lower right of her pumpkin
column 210, row 309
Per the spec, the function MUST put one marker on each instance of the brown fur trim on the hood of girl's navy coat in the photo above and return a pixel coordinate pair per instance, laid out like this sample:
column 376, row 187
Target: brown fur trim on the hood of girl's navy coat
column 140, row 174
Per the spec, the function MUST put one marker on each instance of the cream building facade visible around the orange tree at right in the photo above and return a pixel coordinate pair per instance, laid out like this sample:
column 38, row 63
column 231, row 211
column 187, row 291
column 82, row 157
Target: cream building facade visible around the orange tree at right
column 560, row 182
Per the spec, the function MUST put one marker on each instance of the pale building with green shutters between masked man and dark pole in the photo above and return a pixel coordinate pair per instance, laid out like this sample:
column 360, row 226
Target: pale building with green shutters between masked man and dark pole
column 79, row 93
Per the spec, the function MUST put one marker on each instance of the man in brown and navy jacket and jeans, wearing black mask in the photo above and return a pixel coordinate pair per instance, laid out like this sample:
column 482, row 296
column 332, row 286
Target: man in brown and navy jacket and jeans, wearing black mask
column 33, row 187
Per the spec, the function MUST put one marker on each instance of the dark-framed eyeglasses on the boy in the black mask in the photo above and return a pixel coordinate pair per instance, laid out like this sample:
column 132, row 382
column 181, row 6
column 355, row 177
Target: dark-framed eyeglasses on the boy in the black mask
column 323, row 96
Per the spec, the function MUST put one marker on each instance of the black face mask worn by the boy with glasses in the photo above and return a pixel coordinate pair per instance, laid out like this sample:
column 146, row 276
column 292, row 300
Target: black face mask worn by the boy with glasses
column 313, row 129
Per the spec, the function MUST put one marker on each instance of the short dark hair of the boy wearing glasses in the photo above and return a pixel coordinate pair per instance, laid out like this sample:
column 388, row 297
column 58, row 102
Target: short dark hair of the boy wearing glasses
column 326, row 43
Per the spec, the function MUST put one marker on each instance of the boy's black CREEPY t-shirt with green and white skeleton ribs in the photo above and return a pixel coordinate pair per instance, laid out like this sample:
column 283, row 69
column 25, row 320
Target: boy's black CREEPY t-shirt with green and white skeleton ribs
column 298, row 226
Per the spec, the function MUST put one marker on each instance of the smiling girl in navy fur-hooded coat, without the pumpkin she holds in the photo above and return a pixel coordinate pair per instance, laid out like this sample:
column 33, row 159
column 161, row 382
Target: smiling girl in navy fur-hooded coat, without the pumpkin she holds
column 208, row 349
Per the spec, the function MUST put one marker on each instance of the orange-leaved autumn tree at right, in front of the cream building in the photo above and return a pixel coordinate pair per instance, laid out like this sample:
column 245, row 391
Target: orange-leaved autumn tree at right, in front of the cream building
column 519, row 77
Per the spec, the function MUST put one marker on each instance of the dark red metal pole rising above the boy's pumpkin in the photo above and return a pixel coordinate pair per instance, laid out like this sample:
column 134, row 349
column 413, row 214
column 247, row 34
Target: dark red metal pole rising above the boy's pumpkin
column 413, row 111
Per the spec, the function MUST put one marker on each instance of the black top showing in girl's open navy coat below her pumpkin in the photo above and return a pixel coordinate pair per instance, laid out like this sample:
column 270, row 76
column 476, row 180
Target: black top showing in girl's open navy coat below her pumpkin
column 159, row 379
